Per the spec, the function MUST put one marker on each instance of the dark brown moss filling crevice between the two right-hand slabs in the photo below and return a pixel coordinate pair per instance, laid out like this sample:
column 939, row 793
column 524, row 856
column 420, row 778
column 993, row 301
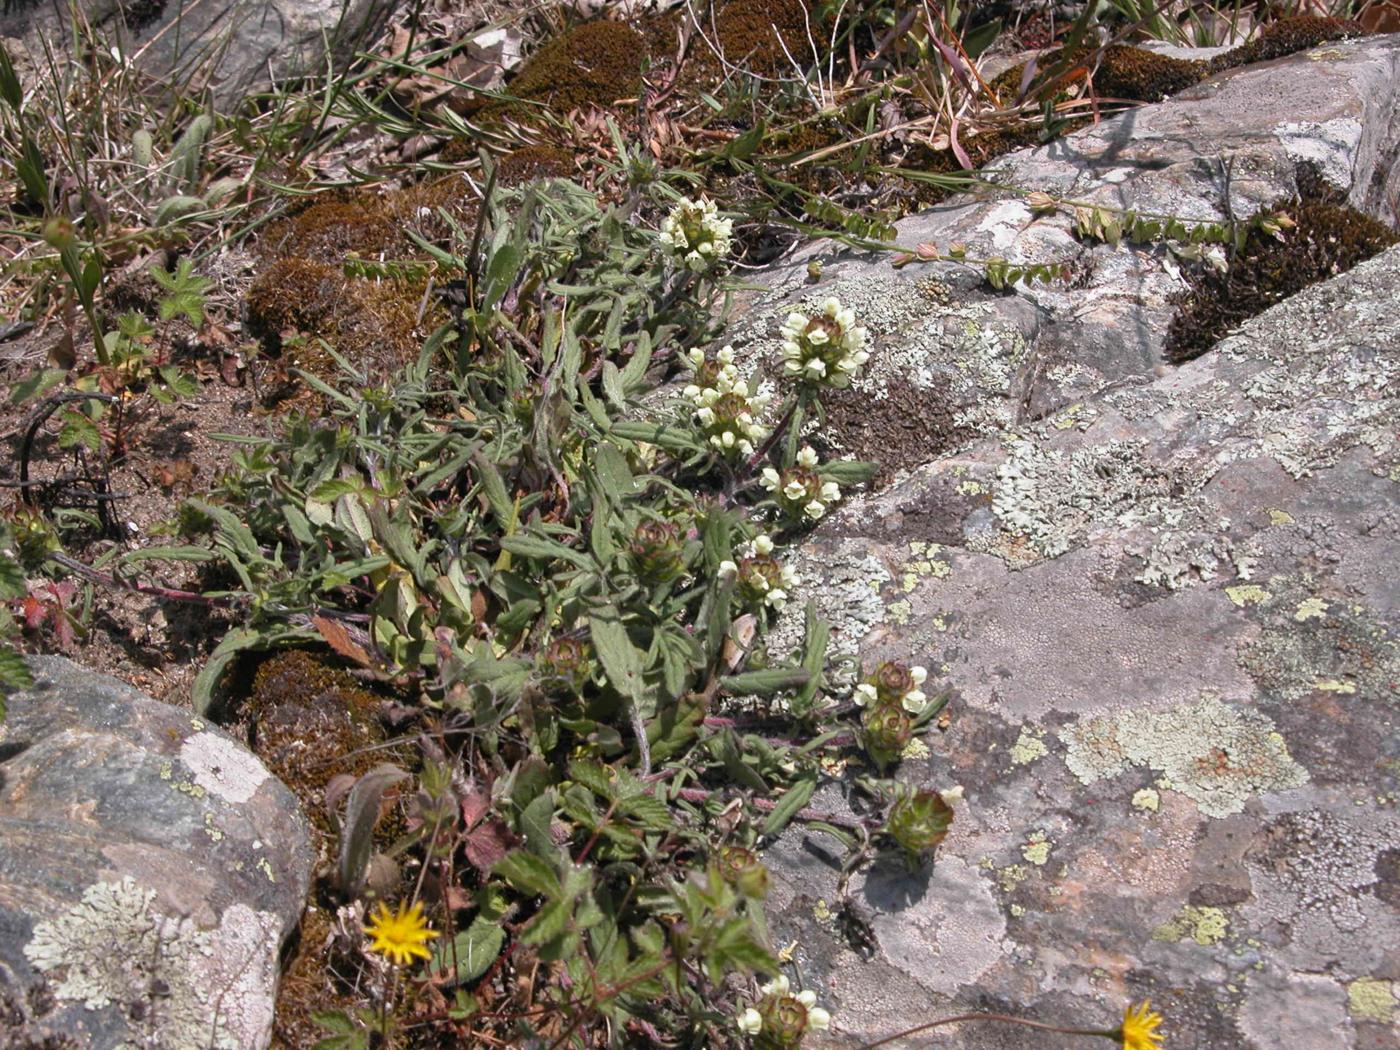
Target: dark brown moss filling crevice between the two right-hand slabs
column 1328, row 239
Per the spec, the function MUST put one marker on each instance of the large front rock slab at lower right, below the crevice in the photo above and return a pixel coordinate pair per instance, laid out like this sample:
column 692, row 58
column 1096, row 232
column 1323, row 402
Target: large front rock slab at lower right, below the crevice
column 1172, row 638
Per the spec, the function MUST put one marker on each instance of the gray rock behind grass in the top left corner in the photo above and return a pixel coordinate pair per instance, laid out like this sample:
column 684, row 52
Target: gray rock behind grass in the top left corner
column 253, row 43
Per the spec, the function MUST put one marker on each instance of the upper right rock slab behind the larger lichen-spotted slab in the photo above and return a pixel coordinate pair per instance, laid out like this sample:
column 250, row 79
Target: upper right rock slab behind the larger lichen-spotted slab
column 955, row 360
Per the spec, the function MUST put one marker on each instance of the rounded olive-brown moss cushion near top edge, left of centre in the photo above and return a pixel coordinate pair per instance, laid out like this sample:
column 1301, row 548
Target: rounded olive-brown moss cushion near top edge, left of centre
column 593, row 65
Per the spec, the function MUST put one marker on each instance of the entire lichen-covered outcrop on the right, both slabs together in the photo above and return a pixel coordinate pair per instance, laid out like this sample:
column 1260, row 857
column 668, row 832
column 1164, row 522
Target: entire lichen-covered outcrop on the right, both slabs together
column 1164, row 601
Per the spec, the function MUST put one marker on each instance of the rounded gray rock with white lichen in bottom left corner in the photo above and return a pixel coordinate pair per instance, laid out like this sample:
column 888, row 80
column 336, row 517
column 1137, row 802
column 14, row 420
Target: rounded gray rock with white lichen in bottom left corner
column 150, row 870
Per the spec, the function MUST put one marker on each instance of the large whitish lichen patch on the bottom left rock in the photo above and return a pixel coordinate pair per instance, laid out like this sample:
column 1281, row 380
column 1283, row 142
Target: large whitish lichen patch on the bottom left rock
column 114, row 948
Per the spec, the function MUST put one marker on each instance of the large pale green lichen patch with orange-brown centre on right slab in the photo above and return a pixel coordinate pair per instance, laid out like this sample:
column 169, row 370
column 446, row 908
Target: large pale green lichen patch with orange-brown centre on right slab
column 1216, row 755
